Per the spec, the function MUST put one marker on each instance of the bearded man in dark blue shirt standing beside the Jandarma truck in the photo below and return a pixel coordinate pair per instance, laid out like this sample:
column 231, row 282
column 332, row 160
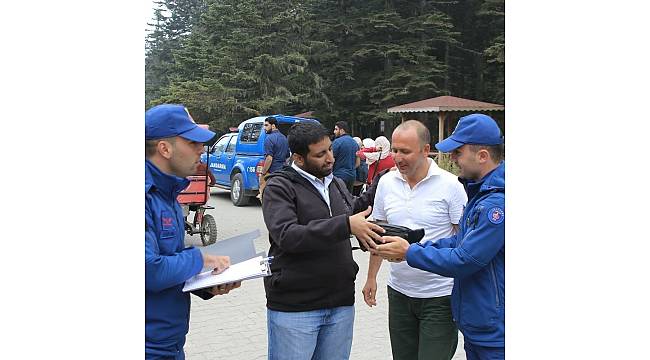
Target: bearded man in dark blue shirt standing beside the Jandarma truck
column 276, row 151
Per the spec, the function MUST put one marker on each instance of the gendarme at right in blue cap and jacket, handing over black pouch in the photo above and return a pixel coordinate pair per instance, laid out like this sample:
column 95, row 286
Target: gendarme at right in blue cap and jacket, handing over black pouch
column 475, row 256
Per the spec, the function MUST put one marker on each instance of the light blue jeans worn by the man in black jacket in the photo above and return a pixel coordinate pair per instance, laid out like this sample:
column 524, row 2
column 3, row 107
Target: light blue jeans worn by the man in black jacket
column 316, row 334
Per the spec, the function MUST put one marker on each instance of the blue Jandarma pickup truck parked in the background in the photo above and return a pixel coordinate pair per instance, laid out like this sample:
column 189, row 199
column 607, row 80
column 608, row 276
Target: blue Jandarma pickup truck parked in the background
column 237, row 158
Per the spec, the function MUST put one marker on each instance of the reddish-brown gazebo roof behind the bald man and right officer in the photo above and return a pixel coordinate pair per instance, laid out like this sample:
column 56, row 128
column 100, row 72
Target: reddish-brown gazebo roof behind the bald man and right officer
column 446, row 103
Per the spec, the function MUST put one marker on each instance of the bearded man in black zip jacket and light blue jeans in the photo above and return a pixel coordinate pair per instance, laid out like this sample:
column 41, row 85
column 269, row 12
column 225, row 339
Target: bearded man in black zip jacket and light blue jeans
column 310, row 215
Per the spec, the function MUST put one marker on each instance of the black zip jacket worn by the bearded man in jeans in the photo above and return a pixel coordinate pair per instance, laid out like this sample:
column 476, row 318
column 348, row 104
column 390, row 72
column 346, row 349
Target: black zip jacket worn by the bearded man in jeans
column 312, row 266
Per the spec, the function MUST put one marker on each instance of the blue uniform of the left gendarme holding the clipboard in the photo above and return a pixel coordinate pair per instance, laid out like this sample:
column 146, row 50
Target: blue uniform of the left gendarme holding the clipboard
column 167, row 264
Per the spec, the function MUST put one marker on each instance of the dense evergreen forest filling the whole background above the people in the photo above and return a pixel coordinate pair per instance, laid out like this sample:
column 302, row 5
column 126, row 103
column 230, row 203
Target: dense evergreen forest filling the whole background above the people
column 349, row 60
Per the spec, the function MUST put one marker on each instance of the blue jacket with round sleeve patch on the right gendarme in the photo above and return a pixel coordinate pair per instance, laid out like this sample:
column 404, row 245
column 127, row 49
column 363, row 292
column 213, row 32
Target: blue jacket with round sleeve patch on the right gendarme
column 475, row 258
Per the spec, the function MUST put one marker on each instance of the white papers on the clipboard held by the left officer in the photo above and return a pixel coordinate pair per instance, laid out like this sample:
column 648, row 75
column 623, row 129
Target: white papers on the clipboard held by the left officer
column 250, row 269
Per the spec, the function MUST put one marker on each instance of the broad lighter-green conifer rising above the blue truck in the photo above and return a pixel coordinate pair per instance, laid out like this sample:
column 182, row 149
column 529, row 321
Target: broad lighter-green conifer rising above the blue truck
column 244, row 59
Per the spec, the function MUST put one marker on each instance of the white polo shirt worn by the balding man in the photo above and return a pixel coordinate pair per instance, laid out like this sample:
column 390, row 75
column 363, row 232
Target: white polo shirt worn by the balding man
column 433, row 204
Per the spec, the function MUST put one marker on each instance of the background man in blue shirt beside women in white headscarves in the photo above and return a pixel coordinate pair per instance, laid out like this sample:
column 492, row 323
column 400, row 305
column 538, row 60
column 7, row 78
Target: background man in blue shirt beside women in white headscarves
column 345, row 149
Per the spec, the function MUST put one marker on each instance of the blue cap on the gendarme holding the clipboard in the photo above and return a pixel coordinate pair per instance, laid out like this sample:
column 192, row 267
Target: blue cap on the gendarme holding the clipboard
column 171, row 120
